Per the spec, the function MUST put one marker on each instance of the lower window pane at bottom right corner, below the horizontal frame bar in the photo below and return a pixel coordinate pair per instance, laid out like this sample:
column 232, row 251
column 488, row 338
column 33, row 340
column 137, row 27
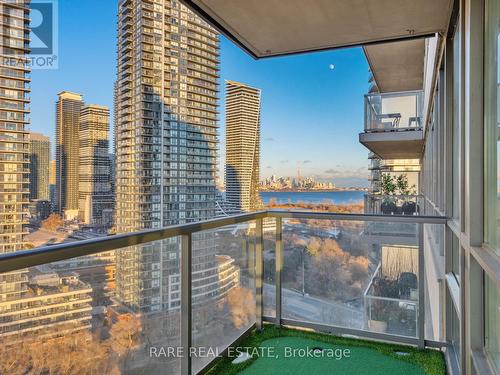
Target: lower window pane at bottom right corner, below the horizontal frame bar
column 492, row 322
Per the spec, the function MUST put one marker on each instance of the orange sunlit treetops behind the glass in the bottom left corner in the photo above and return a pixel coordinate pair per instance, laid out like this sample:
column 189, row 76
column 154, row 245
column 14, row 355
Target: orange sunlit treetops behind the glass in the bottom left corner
column 74, row 353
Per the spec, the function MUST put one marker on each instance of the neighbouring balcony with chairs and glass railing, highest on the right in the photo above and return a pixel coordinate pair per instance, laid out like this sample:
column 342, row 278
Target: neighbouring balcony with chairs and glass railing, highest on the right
column 393, row 125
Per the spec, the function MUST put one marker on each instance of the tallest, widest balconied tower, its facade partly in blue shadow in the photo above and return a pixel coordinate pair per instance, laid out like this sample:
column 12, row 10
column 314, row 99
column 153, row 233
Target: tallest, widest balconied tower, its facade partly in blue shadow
column 166, row 144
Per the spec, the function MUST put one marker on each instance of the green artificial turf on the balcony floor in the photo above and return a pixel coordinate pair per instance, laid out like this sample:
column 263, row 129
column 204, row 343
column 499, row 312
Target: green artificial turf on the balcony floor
column 365, row 357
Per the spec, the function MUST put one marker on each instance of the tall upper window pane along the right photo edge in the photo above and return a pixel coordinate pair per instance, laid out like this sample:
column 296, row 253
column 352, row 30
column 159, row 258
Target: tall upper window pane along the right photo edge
column 492, row 122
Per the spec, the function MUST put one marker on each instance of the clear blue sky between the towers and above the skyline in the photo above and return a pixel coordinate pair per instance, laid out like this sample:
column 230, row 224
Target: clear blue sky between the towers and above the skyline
column 311, row 114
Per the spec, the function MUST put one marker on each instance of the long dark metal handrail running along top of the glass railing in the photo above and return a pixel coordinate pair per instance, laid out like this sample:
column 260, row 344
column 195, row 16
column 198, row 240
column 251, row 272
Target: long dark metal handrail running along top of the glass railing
column 53, row 253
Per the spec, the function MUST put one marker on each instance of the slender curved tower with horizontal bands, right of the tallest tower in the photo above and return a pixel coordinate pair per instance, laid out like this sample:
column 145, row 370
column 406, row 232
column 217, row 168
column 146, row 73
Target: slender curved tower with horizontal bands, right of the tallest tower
column 242, row 169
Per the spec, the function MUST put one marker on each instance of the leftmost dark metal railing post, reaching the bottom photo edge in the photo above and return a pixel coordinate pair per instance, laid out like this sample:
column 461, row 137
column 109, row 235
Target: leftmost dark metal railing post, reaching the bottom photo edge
column 186, row 318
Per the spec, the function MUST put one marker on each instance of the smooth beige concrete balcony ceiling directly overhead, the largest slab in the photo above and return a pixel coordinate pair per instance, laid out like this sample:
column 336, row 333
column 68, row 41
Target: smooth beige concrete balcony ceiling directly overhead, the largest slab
column 276, row 27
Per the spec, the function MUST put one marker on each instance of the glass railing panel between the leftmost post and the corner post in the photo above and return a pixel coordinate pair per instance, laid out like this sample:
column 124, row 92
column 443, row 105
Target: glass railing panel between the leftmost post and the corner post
column 223, row 292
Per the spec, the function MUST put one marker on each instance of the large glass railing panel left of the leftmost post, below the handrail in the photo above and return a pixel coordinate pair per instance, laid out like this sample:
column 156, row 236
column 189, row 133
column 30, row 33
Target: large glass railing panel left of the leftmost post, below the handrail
column 64, row 315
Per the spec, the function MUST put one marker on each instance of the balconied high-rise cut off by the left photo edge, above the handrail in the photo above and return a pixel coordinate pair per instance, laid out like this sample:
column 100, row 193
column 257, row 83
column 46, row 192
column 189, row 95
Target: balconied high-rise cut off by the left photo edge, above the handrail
column 14, row 118
